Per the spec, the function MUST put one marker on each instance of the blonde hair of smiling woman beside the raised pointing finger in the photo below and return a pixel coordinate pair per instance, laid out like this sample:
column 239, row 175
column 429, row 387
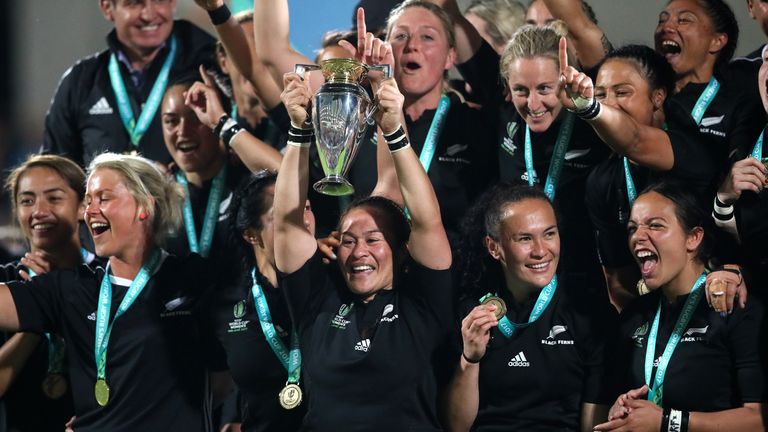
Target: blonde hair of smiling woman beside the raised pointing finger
column 530, row 42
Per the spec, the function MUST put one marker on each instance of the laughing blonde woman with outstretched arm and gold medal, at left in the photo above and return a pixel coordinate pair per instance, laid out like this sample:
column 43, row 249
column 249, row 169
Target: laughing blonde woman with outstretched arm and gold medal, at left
column 137, row 331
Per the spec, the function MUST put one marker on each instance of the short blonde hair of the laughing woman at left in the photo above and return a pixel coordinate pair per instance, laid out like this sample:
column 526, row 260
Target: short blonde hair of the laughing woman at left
column 160, row 197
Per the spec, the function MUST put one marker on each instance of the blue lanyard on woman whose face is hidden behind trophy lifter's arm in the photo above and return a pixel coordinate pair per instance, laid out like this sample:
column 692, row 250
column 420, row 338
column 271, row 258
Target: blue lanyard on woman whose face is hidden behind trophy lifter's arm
column 291, row 360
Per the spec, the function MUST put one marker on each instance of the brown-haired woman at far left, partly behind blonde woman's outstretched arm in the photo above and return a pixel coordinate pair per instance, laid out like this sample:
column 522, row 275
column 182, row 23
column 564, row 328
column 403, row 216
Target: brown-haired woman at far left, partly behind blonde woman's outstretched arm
column 47, row 197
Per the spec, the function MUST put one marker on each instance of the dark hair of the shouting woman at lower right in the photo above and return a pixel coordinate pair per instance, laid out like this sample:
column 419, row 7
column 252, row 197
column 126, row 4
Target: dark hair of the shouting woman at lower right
column 689, row 211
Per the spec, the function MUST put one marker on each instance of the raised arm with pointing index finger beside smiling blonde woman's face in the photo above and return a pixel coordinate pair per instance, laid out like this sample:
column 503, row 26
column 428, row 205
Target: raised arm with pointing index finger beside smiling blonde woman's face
column 646, row 145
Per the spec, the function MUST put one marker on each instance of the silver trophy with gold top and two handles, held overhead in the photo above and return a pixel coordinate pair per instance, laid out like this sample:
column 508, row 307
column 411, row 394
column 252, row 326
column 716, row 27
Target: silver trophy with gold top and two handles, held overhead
column 341, row 114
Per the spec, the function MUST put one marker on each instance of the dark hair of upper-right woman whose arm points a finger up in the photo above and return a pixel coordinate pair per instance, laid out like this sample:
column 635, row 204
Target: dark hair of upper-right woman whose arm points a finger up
column 652, row 65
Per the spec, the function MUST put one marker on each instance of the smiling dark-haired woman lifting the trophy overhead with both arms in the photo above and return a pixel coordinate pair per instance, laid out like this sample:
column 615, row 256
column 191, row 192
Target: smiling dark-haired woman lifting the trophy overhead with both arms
column 369, row 326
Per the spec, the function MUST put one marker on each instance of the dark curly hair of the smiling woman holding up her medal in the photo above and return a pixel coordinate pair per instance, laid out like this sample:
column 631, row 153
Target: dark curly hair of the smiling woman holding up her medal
column 477, row 270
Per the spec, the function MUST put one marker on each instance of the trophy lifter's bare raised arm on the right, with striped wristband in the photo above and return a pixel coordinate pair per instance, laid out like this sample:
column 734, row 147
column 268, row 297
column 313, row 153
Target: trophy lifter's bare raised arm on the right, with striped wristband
column 428, row 243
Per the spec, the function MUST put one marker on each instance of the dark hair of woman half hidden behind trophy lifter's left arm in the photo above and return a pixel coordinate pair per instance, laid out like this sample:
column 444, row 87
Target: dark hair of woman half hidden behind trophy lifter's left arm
column 249, row 203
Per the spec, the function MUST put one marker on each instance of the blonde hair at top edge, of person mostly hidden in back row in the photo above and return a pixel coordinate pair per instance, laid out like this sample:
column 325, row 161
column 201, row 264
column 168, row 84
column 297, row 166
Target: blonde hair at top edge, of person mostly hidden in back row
column 502, row 17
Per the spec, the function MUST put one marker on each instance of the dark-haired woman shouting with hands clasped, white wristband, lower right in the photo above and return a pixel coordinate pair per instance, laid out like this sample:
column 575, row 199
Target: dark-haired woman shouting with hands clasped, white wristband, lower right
column 683, row 366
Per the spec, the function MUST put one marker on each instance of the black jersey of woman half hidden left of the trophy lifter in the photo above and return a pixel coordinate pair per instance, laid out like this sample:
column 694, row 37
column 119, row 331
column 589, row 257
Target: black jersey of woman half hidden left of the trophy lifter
column 255, row 368
